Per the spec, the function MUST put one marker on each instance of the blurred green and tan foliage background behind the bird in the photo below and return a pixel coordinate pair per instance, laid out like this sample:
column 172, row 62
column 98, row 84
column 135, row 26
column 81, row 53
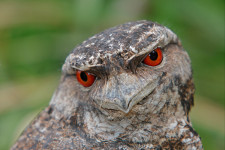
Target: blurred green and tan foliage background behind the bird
column 36, row 37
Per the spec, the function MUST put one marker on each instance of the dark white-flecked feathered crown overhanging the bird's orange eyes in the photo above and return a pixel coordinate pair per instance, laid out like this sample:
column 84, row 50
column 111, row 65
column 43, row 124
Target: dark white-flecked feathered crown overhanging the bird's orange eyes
column 121, row 42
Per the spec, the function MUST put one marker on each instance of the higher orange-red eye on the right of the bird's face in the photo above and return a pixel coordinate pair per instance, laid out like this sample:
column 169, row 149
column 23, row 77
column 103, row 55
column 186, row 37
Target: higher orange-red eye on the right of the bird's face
column 154, row 58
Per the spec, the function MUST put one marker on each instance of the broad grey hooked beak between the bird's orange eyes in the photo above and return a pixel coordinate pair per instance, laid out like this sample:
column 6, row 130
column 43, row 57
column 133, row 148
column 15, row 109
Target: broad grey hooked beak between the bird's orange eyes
column 124, row 93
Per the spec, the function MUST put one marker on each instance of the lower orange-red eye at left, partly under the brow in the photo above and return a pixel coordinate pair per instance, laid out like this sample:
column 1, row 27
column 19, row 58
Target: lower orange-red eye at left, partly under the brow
column 86, row 79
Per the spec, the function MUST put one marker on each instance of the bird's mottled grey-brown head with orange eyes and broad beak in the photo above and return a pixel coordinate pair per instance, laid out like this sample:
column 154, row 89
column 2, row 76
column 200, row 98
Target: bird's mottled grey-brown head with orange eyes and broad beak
column 136, row 67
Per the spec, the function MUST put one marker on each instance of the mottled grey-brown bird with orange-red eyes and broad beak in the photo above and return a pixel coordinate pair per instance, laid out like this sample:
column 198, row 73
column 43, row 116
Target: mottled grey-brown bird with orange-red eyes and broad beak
column 128, row 87
